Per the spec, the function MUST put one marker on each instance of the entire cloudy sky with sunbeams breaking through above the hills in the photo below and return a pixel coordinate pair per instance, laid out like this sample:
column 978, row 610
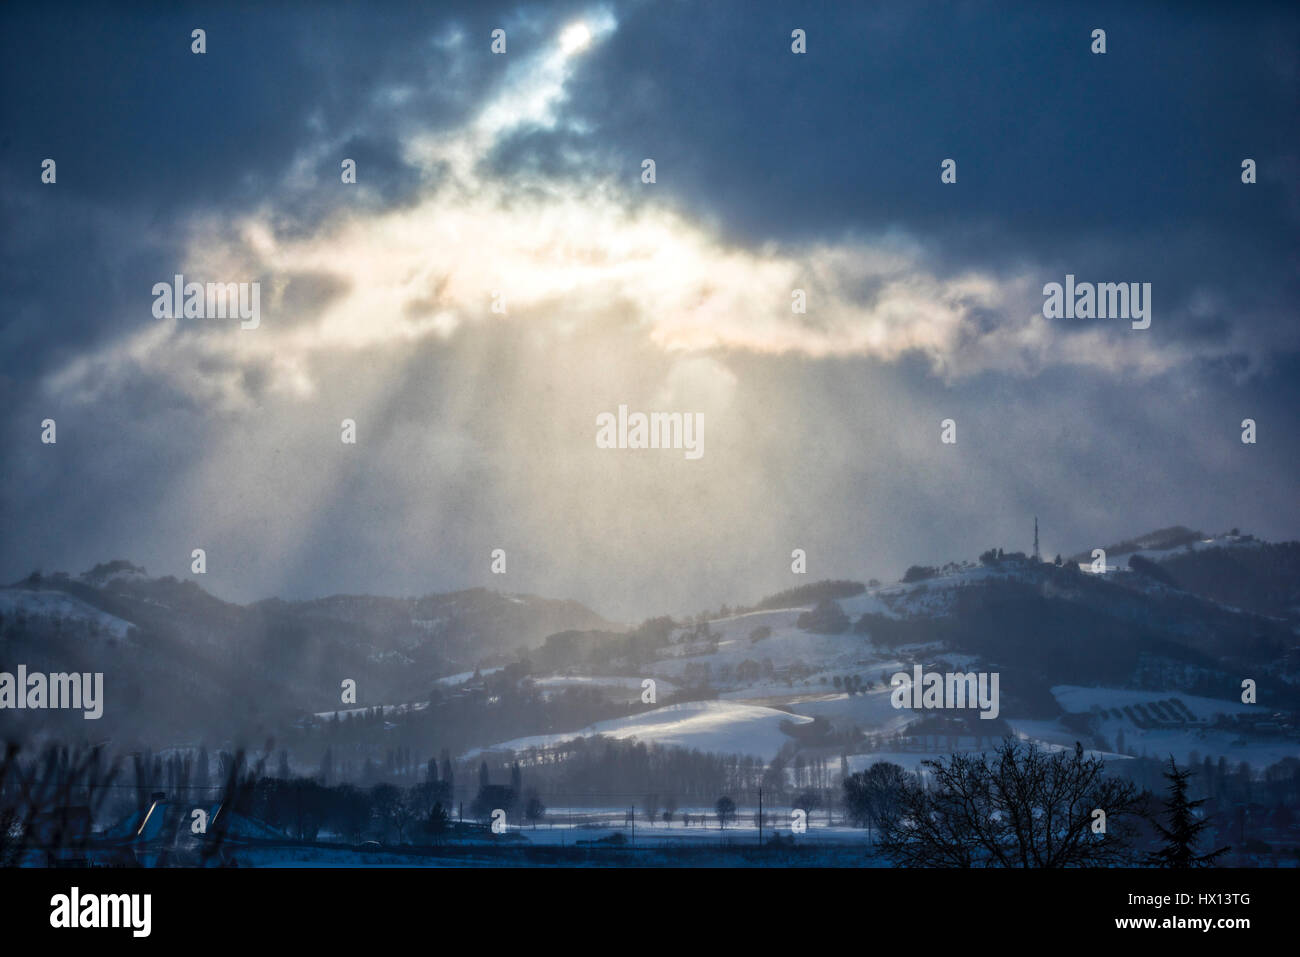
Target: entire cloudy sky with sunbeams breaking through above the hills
column 515, row 180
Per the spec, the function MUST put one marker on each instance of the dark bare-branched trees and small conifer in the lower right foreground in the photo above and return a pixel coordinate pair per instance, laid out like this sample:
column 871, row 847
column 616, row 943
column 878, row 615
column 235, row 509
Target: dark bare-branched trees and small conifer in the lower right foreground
column 1022, row 807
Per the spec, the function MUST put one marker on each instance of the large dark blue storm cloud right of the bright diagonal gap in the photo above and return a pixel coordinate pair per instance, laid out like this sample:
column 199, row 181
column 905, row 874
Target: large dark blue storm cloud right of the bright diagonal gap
column 1116, row 167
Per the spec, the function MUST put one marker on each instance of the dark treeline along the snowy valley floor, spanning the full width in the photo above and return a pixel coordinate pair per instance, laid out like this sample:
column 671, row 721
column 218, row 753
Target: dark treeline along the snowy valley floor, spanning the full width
column 1156, row 812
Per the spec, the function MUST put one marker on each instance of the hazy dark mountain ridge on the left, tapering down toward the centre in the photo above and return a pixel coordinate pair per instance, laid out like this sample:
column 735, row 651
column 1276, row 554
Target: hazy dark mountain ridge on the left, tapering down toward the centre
column 172, row 648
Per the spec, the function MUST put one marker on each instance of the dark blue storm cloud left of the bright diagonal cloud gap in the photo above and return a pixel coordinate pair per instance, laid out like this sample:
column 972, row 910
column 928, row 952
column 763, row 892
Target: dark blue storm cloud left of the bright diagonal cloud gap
column 148, row 135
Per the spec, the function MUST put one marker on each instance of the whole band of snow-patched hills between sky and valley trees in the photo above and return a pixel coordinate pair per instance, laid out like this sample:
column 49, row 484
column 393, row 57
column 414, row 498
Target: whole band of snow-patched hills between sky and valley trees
column 1147, row 656
